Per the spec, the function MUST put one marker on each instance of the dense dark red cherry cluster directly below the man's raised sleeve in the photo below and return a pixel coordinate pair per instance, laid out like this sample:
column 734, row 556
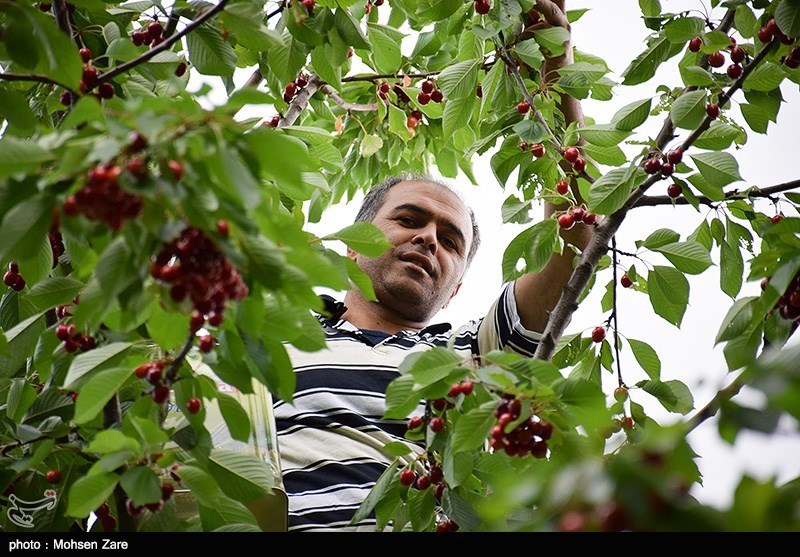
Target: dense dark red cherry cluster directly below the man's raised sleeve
column 529, row 437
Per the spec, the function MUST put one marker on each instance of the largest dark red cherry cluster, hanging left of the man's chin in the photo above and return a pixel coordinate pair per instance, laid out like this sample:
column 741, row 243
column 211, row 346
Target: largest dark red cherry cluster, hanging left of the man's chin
column 195, row 268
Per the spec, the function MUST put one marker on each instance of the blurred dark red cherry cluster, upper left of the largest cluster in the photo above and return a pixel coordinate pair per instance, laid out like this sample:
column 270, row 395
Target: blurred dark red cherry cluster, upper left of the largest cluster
column 102, row 198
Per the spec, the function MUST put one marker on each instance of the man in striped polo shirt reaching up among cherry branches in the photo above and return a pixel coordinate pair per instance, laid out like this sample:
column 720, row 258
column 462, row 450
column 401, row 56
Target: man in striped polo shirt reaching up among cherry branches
column 331, row 436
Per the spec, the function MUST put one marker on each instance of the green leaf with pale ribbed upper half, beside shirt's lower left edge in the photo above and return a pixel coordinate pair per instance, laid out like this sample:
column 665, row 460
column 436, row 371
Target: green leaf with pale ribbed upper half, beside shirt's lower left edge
column 241, row 475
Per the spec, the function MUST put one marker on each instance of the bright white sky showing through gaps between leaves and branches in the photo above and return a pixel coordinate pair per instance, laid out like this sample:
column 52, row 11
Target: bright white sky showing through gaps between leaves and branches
column 615, row 32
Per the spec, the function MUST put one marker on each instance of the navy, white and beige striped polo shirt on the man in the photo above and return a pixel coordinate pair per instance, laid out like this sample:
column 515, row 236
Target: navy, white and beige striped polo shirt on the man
column 331, row 436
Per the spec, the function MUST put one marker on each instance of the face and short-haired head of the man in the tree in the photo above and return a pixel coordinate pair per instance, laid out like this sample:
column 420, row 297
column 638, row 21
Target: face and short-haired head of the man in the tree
column 431, row 230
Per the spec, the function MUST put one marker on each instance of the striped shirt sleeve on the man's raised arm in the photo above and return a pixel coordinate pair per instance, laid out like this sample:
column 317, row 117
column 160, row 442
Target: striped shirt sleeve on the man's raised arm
column 501, row 329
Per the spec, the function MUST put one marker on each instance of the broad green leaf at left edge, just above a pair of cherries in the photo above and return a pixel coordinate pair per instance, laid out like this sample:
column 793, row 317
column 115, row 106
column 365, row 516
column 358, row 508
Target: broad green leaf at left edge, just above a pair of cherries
column 25, row 225
